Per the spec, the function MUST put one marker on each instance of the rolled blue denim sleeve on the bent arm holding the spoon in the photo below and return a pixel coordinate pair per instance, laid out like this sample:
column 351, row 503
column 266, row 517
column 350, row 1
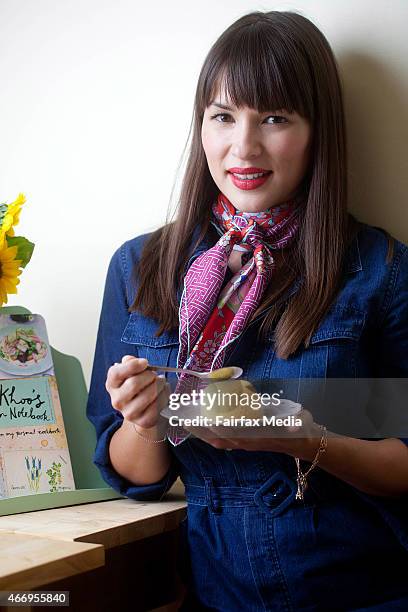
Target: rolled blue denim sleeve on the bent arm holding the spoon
column 110, row 349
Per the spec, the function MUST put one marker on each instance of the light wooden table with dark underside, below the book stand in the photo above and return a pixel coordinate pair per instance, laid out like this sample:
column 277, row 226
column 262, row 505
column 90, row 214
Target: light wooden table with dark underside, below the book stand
column 118, row 554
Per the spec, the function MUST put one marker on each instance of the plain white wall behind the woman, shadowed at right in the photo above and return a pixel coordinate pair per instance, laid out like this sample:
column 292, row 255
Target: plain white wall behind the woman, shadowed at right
column 96, row 99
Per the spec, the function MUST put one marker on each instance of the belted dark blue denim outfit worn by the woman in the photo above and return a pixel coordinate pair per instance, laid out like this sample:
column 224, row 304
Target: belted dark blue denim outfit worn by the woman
column 247, row 544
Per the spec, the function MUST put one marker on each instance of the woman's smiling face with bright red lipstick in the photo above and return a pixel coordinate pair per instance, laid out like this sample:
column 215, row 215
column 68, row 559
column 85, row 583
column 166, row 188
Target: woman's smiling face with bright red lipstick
column 241, row 142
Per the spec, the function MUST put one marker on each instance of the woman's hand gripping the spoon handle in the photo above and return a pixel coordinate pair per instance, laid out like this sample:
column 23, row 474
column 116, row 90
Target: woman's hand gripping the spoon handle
column 139, row 394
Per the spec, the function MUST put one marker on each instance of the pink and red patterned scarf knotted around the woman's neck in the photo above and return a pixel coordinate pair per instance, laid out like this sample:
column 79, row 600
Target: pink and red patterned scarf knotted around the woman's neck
column 210, row 319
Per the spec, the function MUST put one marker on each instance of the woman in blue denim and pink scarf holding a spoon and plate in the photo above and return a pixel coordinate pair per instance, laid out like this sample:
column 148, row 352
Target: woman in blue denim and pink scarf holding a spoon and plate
column 263, row 268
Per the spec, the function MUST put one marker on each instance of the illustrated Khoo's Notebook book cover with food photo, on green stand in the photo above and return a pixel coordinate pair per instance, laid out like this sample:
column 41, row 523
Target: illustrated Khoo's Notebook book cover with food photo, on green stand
column 34, row 454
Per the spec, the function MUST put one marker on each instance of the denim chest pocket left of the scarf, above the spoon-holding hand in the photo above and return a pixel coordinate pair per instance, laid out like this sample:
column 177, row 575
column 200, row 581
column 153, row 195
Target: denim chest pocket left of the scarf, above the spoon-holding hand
column 158, row 350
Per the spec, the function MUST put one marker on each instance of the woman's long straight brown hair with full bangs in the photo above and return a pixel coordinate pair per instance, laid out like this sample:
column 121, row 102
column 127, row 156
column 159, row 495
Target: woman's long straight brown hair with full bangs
column 266, row 61
